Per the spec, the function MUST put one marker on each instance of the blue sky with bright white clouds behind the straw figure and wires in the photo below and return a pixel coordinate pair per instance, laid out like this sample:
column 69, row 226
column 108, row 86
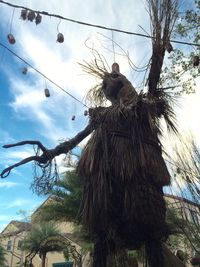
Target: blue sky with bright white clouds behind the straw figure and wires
column 25, row 111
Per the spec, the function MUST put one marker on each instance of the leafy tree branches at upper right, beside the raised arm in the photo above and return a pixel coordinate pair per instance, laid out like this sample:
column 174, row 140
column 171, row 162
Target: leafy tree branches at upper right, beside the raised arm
column 179, row 70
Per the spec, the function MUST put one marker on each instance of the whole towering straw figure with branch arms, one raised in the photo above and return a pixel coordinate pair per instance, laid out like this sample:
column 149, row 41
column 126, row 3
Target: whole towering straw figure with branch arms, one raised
column 121, row 166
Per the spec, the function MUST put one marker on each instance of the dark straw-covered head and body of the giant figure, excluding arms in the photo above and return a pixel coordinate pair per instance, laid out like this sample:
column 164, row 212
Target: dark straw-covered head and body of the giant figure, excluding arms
column 124, row 172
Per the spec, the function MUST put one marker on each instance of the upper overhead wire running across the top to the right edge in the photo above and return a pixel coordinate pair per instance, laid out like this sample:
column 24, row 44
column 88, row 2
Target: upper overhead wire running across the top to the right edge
column 45, row 13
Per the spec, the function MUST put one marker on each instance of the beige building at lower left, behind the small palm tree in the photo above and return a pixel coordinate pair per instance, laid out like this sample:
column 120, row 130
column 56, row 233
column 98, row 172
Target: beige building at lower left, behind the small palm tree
column 12, row 236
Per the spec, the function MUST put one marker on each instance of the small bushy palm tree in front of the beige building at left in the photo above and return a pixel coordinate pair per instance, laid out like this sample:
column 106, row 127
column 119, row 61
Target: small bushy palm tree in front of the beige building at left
column 34, row 241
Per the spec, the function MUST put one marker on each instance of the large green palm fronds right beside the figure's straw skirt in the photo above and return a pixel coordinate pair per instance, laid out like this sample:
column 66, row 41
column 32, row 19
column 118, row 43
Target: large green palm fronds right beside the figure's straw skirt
column 64, row 206
